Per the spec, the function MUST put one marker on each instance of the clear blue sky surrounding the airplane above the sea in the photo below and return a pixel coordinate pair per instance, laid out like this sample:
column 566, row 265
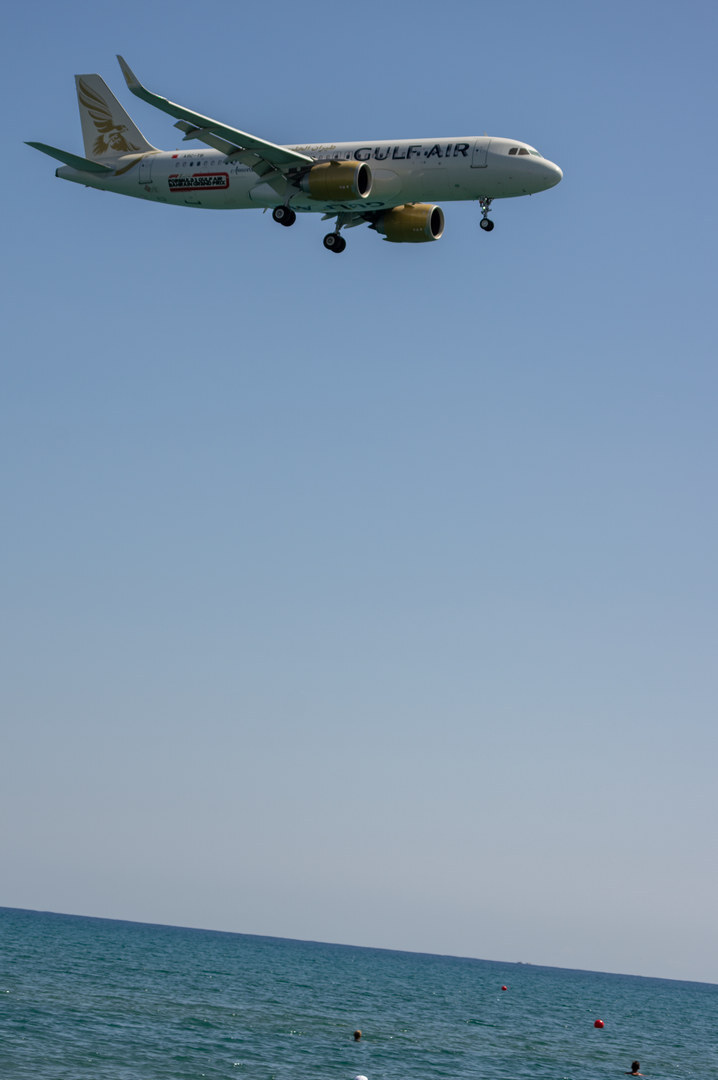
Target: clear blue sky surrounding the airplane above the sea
column 370, row 599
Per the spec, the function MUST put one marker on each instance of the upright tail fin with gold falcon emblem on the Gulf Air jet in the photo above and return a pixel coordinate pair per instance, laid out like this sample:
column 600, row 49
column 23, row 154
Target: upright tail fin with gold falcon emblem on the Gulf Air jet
column 107, row 130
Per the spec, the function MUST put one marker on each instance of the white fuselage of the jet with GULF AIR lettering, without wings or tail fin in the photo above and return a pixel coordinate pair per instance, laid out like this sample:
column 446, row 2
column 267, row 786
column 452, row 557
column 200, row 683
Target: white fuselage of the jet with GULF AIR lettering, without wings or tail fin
column 403, row 171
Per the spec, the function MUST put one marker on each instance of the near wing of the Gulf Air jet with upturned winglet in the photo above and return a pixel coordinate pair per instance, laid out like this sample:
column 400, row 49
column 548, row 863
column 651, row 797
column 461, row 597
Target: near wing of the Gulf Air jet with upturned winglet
column 264, row 158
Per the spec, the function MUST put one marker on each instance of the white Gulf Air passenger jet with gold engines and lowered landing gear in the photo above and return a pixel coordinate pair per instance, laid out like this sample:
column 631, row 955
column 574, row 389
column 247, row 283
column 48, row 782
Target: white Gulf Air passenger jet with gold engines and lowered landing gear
column 391, row 185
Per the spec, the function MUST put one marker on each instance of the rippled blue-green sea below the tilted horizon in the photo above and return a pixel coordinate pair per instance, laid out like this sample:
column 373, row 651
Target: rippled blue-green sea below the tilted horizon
column 88, row 1000
